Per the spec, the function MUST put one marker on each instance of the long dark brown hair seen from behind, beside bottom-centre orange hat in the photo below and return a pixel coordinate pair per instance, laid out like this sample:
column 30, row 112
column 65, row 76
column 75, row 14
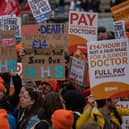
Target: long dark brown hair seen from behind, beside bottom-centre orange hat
column 51, row 102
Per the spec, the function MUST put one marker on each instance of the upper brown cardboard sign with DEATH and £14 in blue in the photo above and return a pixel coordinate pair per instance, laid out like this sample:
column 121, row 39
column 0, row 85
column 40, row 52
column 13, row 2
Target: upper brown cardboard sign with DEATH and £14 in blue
column 44, row 36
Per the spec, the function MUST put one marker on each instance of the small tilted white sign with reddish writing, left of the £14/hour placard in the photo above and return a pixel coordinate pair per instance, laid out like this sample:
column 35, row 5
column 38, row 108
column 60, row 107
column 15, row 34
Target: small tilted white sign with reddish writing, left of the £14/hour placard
column 78, row 71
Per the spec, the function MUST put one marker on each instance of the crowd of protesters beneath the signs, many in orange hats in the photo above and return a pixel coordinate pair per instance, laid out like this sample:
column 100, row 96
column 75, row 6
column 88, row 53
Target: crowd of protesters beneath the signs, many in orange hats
column 56, row 104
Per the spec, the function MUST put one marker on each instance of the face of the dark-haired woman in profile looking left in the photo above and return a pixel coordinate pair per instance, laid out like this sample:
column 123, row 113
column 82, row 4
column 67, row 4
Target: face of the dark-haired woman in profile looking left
column 25, row 99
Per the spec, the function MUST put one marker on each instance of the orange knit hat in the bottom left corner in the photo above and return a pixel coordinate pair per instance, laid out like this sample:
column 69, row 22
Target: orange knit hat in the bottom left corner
column 3, row 119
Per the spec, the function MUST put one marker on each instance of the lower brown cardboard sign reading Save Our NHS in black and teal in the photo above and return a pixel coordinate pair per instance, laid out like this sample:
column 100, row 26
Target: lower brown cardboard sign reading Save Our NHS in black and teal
column 47, row 64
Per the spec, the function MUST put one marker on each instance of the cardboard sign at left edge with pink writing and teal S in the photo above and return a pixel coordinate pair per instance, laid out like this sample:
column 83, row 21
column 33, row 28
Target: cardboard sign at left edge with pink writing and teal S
column 7, row 51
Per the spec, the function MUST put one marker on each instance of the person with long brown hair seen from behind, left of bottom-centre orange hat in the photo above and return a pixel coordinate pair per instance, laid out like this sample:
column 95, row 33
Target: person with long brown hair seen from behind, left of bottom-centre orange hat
column 51, row 102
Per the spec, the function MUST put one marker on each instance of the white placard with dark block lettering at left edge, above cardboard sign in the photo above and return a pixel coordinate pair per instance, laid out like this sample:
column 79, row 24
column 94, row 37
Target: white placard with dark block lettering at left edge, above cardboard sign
column 9, row 22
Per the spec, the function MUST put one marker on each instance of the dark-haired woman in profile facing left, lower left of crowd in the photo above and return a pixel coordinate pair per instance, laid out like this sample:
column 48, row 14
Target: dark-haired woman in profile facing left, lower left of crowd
column 29, row 106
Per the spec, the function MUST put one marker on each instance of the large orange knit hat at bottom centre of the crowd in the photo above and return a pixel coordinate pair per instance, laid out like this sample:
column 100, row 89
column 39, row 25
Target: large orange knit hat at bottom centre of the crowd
column 62, row 119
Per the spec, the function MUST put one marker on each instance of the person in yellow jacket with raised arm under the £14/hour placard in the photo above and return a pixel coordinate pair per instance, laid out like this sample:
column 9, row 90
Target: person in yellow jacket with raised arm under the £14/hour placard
column 106, row 114
